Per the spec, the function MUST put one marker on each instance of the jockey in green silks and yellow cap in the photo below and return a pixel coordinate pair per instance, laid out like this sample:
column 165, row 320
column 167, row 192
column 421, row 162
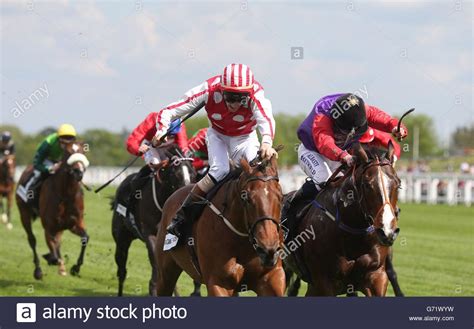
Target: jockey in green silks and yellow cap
column 47, row 157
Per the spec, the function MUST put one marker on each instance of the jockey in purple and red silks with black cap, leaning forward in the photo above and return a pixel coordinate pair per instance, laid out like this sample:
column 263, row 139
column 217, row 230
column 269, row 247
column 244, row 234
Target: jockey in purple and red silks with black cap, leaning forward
column 334, row 123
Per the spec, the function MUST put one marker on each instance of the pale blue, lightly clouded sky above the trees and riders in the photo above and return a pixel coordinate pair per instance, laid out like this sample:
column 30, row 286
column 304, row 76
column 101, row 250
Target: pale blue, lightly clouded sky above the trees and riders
column 109, row 63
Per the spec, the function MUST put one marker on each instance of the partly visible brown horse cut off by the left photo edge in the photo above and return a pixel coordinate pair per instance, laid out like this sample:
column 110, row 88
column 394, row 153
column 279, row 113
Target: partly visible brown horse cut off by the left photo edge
column 7, row 184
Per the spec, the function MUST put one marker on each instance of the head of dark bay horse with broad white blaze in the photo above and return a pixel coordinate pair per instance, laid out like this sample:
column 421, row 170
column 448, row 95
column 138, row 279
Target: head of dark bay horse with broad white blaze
column 375, row 183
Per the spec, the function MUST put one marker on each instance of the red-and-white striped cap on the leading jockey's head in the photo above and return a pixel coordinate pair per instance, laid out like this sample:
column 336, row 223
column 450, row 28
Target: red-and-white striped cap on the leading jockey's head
column 237, row 78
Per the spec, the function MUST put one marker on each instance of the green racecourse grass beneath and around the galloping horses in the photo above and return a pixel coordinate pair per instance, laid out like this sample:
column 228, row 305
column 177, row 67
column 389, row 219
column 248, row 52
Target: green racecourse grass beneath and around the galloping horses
column 434, row 256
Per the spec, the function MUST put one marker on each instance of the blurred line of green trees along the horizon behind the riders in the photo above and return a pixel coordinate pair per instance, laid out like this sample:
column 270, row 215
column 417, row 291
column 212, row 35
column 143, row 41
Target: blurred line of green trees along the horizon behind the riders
column 106, row 148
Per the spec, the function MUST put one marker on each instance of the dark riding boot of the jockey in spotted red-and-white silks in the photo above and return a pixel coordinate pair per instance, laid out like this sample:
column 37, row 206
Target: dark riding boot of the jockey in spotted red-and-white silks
column 192, row 205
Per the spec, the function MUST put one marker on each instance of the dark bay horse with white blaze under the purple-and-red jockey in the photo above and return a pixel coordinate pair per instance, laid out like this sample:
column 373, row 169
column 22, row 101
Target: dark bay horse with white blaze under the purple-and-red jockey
column 354, row 223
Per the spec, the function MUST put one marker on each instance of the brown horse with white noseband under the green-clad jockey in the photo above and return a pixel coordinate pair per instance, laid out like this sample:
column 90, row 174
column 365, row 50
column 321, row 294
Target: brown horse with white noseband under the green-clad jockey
column 61, row 207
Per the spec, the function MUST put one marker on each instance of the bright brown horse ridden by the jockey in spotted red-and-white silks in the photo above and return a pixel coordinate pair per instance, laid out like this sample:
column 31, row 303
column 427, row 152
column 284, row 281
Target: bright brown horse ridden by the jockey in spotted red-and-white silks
column 235, row 241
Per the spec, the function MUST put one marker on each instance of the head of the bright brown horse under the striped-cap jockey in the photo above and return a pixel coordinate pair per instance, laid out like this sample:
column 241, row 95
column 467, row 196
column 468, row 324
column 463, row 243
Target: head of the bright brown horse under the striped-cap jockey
column 261, row 196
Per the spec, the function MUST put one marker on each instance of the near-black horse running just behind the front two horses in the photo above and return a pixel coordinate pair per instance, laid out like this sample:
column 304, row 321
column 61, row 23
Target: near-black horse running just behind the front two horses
column 173, row 173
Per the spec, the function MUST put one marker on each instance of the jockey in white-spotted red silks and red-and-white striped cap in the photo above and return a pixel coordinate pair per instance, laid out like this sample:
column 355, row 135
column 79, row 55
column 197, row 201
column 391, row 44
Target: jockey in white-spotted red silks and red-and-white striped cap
column 235, row 106
